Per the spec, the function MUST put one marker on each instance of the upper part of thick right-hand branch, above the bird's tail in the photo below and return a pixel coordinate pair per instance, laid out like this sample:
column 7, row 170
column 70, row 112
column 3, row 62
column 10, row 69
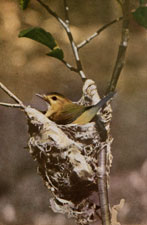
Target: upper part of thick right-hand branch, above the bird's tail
column 122, row 48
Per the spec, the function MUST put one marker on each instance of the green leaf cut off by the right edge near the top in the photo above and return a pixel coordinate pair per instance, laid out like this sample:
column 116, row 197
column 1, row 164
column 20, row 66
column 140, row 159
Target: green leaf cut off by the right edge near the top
column 140, row 15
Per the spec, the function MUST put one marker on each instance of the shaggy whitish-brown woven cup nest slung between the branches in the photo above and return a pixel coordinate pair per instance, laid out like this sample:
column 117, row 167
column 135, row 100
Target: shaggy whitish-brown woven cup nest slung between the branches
column 68, row 158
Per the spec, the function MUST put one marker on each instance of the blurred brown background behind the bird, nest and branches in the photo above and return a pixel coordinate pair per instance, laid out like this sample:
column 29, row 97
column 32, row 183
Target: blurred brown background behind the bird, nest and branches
column 26, row 70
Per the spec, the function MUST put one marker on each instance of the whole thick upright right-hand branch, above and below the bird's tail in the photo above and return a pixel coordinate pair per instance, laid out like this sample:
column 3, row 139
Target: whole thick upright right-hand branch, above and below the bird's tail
column 103, row 155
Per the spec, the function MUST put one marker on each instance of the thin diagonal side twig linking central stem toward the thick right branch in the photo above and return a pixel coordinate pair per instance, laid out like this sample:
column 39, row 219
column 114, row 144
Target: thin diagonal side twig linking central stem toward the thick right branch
column 85, row 42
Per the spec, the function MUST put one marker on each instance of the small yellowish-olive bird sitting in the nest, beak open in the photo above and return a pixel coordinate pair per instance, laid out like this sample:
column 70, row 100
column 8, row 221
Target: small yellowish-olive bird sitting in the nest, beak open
column 63, row 111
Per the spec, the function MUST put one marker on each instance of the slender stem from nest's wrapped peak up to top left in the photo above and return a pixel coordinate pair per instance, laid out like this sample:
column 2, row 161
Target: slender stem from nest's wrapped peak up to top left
column 70, row 37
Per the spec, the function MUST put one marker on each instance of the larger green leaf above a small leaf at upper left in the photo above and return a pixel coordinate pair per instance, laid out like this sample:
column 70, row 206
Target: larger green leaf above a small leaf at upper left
column 40, row 35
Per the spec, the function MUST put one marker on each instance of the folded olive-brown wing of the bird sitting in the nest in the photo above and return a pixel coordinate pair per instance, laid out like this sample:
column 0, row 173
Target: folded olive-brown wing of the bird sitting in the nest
column 69, row 113
